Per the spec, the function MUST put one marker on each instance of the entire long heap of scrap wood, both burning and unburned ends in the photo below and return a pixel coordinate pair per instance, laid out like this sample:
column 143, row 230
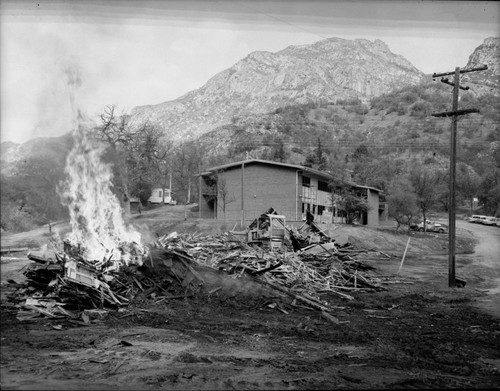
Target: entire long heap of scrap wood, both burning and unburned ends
column 181, row 265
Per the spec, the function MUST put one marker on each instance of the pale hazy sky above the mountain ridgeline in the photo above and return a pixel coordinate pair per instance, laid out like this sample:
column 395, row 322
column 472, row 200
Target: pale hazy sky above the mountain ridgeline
column 132, row 53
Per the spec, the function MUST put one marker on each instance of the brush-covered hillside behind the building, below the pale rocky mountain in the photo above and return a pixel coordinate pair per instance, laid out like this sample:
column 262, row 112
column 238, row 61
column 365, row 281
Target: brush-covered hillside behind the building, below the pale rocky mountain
column 398, row 124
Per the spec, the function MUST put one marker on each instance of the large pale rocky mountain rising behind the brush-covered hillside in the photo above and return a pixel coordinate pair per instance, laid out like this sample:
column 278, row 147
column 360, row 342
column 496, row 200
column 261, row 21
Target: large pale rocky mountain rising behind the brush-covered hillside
column 326, row 71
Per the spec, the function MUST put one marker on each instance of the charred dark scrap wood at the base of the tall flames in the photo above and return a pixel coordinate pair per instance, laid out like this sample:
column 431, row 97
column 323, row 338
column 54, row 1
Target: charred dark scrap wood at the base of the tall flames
column 66, row 286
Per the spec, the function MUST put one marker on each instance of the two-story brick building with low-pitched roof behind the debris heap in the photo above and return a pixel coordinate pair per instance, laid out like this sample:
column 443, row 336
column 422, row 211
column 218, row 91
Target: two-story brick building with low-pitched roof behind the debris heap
column 242, row 191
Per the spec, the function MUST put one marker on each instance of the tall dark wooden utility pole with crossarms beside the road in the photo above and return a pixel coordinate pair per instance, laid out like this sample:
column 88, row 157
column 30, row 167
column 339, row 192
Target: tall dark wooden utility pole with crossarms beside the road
column 453, row 157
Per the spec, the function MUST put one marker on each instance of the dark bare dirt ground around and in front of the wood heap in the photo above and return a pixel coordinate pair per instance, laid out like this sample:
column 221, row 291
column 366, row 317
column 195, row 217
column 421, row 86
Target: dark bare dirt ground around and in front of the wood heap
column 418, row 333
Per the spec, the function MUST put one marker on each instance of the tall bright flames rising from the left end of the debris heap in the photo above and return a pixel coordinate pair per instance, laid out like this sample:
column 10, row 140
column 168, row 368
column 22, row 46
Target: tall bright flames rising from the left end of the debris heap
column 98, row 228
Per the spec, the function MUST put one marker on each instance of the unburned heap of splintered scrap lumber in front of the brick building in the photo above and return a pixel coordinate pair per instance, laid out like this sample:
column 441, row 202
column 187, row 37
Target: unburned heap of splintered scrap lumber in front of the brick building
column 318, row 268
